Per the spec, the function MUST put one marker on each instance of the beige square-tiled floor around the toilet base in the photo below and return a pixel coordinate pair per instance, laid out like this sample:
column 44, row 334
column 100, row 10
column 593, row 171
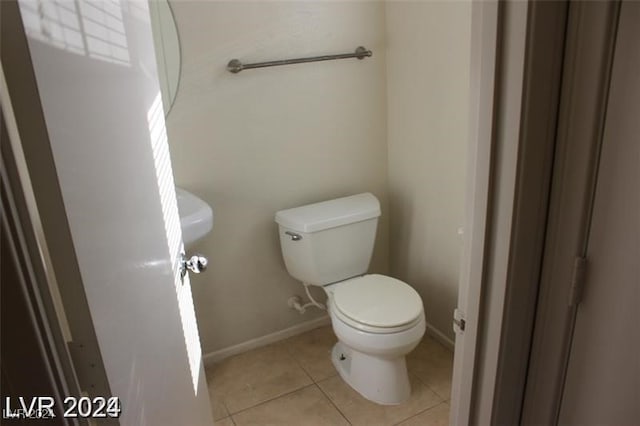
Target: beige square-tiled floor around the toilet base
column 294, row 383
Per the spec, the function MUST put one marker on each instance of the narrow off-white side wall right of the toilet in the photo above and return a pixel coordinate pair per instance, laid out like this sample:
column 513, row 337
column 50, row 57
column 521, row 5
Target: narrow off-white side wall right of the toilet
column 428, row 54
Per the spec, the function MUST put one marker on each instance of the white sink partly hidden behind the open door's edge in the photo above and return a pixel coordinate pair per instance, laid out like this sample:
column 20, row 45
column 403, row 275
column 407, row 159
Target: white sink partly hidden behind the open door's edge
column 196, row 216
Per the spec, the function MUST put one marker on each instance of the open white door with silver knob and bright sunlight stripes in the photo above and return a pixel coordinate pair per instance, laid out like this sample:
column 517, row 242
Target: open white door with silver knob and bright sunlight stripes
column 96, row 75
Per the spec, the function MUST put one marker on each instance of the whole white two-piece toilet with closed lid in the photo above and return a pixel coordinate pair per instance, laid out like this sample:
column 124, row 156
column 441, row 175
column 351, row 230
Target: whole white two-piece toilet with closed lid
column 377, row 319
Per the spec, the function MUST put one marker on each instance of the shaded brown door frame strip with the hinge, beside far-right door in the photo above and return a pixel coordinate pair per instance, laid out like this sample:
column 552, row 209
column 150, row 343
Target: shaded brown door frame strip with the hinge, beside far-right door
column 585, row 89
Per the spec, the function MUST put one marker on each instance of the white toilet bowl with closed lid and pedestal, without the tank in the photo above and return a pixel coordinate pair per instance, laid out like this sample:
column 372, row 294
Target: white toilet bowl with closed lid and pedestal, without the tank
column 371, row 349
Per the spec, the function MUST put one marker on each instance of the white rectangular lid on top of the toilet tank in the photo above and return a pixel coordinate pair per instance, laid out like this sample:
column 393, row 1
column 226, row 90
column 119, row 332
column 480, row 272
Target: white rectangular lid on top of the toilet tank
column 330, row 214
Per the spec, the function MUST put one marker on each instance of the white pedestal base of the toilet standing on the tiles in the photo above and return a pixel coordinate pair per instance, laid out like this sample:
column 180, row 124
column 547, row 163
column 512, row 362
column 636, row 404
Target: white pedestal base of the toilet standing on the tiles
column 381, row 380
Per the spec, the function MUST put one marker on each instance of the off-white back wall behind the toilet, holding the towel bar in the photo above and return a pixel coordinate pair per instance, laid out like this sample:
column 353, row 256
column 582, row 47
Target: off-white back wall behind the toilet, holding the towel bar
column 263, row 140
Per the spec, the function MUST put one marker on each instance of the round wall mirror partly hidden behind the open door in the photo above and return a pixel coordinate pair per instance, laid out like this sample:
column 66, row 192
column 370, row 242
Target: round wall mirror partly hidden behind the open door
column 167, row 46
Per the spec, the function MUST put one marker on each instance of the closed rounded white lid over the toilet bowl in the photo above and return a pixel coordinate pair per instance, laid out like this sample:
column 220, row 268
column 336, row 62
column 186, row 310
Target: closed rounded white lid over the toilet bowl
column 378, row 301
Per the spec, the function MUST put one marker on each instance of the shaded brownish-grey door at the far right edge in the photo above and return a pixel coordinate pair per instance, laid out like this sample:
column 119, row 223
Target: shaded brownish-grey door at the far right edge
column 603, row 377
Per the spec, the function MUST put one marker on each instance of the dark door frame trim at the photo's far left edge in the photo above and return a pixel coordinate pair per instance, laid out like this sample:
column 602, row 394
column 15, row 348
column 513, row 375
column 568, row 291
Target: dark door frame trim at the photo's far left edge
column 35, row 361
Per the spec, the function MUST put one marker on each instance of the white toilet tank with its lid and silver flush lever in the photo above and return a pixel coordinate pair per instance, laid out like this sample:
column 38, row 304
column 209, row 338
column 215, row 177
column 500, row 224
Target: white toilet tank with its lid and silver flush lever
column 331, row 241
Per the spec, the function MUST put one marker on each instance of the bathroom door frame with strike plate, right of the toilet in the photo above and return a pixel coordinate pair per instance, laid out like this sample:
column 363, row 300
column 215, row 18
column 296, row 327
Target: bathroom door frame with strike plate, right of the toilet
column 508, row 191
